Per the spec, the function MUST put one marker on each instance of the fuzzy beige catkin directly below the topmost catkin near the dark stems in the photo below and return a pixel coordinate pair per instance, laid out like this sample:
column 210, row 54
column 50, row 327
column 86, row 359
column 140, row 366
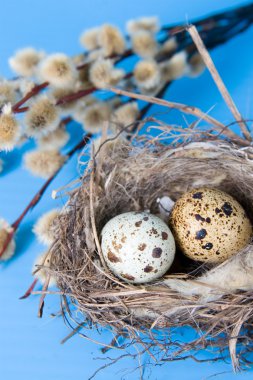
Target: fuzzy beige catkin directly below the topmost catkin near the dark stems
column 144, row 44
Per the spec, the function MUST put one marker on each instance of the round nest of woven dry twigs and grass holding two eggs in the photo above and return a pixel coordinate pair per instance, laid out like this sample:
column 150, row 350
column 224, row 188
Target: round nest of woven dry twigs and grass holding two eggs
column 130, row 176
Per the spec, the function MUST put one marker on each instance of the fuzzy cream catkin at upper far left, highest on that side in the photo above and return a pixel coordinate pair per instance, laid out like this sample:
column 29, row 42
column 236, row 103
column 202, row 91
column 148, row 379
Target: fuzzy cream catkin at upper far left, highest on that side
column 25, row 61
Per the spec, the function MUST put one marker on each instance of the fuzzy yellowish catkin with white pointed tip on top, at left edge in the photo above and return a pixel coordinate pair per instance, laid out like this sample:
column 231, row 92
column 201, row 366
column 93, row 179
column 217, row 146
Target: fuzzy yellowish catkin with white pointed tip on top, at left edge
column 9, row 129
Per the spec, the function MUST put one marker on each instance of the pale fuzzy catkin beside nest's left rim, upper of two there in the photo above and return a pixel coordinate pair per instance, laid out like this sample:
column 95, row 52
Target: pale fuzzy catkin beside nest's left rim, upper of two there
column 43, row 228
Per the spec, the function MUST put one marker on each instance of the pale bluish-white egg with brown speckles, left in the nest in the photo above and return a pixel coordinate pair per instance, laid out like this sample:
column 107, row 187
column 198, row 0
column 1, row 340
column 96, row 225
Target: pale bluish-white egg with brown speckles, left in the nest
column 138, row 247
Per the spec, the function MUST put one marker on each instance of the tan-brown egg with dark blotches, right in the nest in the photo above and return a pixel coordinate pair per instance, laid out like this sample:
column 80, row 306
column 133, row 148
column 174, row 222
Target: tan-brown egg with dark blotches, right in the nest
column 209, row 225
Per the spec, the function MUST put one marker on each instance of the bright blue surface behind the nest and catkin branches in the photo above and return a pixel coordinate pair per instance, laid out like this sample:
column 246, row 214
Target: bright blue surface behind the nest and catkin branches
column 29, row 347
